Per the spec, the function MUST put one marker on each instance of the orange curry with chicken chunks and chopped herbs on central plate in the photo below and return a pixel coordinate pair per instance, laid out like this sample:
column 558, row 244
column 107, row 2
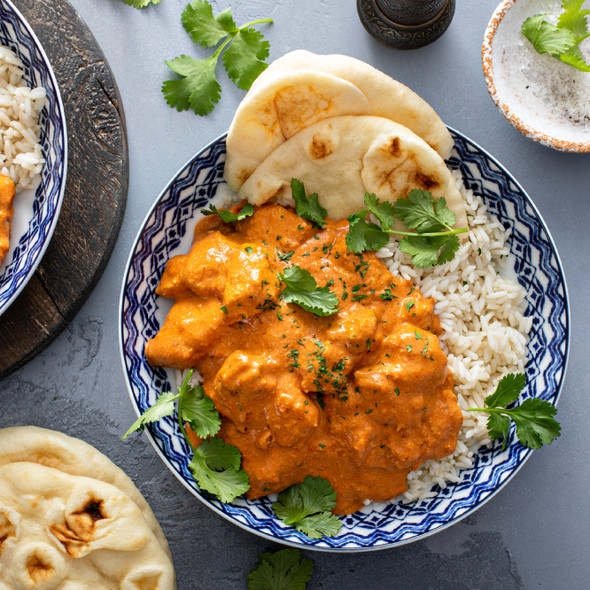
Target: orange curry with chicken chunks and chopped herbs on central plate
column 360, row 397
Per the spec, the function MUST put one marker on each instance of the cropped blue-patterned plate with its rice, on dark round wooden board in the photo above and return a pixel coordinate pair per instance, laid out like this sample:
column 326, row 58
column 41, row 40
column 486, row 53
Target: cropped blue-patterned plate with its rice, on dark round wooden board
column 39, row 194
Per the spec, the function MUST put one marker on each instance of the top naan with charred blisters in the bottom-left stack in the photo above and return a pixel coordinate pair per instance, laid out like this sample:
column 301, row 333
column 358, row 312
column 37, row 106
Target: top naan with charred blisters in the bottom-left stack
column 60, row 531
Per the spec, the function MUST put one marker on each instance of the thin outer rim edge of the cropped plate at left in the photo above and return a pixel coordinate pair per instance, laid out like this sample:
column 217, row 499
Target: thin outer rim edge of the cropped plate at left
column 24, row 279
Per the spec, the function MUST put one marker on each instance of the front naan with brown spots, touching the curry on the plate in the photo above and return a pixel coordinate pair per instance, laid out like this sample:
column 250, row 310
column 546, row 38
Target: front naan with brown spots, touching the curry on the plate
column 341, row 158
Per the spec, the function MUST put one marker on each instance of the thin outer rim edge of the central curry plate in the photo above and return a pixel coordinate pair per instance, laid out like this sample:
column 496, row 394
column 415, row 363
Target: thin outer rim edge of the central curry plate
column 525, row 454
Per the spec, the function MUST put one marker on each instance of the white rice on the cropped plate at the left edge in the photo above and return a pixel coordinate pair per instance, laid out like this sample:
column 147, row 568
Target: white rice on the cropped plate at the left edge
column 21, row 158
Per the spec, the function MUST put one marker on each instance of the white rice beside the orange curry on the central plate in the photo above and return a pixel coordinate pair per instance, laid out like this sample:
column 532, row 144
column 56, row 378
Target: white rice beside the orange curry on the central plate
column 484, row 332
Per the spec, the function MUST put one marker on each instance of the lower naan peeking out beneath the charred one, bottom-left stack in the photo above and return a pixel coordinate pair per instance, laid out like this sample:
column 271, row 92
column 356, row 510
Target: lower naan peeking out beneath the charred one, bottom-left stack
column 72, row 456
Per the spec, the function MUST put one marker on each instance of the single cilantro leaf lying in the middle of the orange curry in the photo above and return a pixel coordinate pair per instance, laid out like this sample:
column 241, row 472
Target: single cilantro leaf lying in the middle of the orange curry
column 301, row 288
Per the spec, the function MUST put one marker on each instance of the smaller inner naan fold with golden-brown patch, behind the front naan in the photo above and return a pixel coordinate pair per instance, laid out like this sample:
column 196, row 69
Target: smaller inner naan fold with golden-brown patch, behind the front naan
column 279, row 109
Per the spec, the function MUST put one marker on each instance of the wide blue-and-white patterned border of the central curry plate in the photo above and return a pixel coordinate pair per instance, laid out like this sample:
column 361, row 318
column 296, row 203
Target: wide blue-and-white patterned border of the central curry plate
column 538, row 268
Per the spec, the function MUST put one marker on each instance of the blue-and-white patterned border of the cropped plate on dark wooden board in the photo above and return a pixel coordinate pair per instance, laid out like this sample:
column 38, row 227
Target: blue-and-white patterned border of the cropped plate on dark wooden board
column 16, row 34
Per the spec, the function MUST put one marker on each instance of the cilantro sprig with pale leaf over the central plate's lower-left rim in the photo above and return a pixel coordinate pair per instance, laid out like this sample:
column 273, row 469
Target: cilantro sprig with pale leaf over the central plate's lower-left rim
column 215, row 465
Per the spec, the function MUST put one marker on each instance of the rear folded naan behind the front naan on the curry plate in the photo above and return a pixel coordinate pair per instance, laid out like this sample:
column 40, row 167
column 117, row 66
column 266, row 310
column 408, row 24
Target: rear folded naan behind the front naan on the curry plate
column 385, row 96
